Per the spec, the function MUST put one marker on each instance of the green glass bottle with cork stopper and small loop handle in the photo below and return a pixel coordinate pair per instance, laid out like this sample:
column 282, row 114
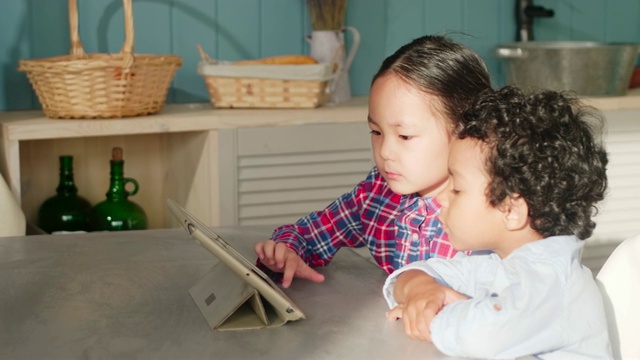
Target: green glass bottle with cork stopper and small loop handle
column 117, row 212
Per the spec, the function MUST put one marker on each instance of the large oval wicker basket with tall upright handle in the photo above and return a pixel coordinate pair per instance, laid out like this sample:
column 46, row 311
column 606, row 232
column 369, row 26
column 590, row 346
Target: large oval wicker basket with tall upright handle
column 83, row 85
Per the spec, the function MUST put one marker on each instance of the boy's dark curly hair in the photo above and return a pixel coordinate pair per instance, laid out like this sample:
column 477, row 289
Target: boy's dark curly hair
column 544, row 148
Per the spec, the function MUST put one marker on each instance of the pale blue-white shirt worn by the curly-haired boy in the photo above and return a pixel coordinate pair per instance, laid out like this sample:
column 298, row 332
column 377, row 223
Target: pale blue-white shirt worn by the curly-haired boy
column 539, row 301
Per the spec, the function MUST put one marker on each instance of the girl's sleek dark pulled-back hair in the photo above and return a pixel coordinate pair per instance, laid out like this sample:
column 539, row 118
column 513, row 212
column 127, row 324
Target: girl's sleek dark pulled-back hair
column 438, row 66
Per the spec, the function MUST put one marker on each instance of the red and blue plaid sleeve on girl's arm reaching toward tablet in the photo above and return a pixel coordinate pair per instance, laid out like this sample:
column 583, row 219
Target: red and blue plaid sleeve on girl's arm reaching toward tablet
column 318, row 236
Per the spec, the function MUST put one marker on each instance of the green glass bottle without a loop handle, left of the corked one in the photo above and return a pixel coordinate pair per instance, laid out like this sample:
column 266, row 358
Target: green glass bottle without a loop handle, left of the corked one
column 65, row 211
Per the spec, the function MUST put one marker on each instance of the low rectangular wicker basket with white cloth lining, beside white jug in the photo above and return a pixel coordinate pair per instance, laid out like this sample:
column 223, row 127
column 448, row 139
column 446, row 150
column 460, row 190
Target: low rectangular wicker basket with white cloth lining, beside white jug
column 233, row 86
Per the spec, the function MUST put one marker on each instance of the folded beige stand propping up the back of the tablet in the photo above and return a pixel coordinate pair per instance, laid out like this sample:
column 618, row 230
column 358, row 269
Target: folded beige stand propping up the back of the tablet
column 229, row 303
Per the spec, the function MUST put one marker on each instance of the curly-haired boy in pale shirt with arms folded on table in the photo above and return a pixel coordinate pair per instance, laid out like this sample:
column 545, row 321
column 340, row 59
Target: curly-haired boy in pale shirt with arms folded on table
column 525, row 174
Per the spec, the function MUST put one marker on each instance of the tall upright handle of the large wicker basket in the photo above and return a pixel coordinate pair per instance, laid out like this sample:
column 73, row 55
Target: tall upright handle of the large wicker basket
column 127, row 48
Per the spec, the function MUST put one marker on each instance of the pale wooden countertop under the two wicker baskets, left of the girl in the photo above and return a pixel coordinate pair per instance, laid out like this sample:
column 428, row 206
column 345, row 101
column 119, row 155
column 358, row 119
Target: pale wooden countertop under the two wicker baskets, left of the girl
column 33, row 125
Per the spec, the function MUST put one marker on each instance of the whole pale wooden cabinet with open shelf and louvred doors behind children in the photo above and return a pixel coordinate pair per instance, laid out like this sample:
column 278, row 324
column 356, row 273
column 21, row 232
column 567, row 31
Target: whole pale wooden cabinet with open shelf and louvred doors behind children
column 210, row 160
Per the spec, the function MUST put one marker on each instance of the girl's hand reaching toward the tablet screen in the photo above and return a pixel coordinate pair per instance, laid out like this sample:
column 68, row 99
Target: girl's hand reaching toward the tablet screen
column 278, row 257
